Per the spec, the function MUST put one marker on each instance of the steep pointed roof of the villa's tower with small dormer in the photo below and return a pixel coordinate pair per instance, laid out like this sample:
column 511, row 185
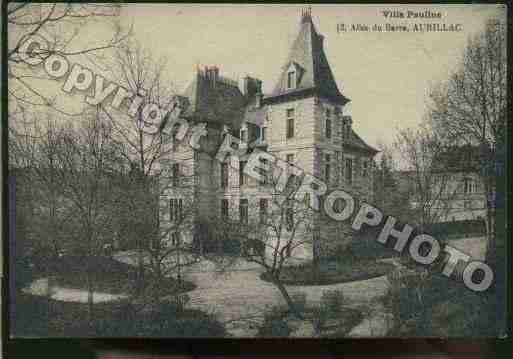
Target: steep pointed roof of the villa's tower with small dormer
column 307, row 54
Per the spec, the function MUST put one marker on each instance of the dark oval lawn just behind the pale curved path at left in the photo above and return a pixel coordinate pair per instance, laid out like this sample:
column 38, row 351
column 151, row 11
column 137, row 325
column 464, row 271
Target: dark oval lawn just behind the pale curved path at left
column 108, row 275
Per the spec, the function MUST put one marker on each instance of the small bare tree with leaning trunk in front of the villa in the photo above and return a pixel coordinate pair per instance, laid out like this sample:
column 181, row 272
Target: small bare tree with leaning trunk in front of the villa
column 268, row 233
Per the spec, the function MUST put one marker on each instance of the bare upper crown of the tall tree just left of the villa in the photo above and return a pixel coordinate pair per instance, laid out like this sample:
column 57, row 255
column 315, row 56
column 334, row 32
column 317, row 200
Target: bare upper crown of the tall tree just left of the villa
column 145, row 145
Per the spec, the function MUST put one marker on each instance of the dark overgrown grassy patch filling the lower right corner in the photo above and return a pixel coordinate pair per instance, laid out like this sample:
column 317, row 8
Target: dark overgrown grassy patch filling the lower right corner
column 441, row 307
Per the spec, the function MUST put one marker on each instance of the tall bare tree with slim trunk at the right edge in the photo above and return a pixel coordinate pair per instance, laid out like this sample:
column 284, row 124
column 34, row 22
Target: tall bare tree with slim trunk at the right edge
column 470, row 107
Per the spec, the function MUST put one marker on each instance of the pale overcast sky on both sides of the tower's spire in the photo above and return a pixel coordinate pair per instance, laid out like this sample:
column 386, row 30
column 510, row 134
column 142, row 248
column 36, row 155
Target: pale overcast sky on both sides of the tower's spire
column 386, row 75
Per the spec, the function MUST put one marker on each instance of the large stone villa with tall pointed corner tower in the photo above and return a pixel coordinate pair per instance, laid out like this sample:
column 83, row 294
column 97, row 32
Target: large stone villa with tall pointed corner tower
column 301, row 121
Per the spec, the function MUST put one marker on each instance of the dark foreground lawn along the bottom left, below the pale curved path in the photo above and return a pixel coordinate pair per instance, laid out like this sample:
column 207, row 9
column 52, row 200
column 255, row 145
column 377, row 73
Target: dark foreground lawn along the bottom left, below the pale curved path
column 39, row 317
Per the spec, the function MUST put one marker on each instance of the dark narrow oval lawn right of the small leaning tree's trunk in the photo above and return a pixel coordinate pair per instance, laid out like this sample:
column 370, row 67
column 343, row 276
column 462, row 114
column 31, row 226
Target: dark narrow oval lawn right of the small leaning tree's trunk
column 332, row 272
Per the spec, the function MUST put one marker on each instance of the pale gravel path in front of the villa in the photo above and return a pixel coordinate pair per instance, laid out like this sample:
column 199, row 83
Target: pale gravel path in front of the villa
column 239, row 297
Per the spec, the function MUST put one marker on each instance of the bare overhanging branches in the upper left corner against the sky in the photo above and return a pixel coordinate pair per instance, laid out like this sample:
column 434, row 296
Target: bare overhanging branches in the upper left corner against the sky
column 62, row 26
